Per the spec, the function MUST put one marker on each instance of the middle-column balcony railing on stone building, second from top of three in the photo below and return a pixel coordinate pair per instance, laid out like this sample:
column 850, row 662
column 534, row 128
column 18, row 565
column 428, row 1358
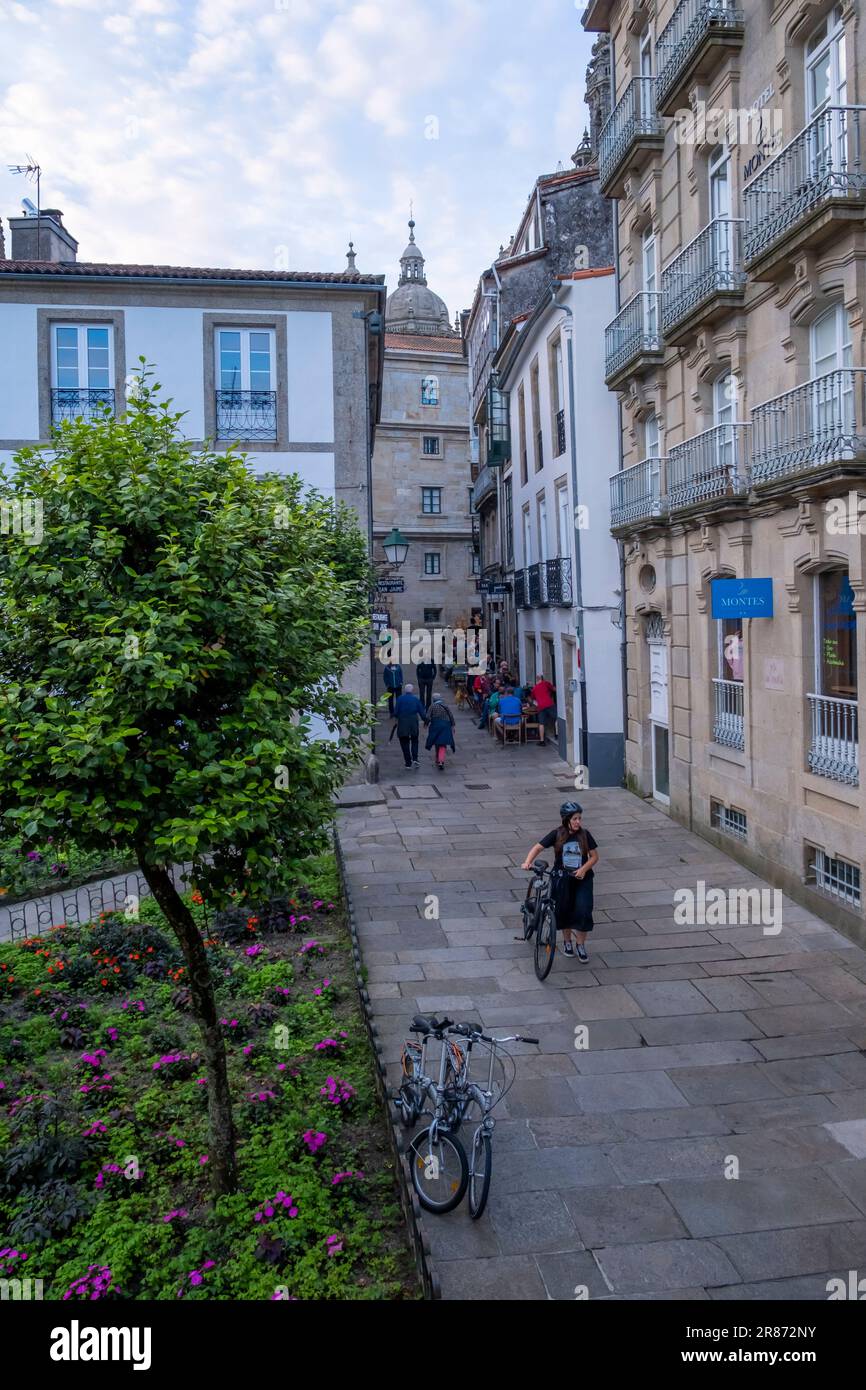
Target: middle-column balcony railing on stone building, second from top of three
column 710, row 266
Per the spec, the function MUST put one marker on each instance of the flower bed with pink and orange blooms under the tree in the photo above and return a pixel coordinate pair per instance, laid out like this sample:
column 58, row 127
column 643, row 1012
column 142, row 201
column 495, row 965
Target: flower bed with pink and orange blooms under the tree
column 104, row 1117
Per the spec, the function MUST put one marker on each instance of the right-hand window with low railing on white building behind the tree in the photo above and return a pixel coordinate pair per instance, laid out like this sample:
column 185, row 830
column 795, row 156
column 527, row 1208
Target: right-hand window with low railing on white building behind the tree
column 247, row 397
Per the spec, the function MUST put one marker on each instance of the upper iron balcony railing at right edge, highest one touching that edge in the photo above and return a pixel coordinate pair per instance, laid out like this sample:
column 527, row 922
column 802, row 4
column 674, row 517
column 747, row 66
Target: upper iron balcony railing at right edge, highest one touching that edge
column 822, row 166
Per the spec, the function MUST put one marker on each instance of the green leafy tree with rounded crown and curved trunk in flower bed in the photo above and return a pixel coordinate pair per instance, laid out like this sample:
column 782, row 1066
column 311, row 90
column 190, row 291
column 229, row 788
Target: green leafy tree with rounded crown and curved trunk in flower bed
column 163, row 651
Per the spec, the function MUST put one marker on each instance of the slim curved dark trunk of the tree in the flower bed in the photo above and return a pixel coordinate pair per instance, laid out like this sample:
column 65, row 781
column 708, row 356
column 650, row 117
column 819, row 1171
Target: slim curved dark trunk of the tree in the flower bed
column 222, row 1159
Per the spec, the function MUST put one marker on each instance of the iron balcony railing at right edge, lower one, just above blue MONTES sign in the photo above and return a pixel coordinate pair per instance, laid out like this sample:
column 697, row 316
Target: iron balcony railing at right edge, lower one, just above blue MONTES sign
column 817, row 425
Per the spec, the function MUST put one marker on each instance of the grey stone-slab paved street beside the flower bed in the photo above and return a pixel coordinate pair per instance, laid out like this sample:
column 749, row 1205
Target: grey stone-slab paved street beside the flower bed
column 705, row 1045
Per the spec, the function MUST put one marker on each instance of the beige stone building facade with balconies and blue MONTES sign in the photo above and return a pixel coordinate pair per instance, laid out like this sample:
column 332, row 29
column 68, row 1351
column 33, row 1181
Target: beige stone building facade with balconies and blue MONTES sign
column 736, row 155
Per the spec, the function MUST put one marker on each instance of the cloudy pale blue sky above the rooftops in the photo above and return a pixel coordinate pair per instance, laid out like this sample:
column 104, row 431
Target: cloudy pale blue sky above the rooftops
column 268, row 133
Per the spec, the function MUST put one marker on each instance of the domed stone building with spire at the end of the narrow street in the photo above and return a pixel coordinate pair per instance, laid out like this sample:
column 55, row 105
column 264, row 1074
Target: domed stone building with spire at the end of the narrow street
column 422, row 473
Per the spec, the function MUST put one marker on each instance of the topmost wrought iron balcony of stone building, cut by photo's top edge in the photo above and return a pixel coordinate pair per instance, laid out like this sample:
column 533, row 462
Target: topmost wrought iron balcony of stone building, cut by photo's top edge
column 690, row 47
